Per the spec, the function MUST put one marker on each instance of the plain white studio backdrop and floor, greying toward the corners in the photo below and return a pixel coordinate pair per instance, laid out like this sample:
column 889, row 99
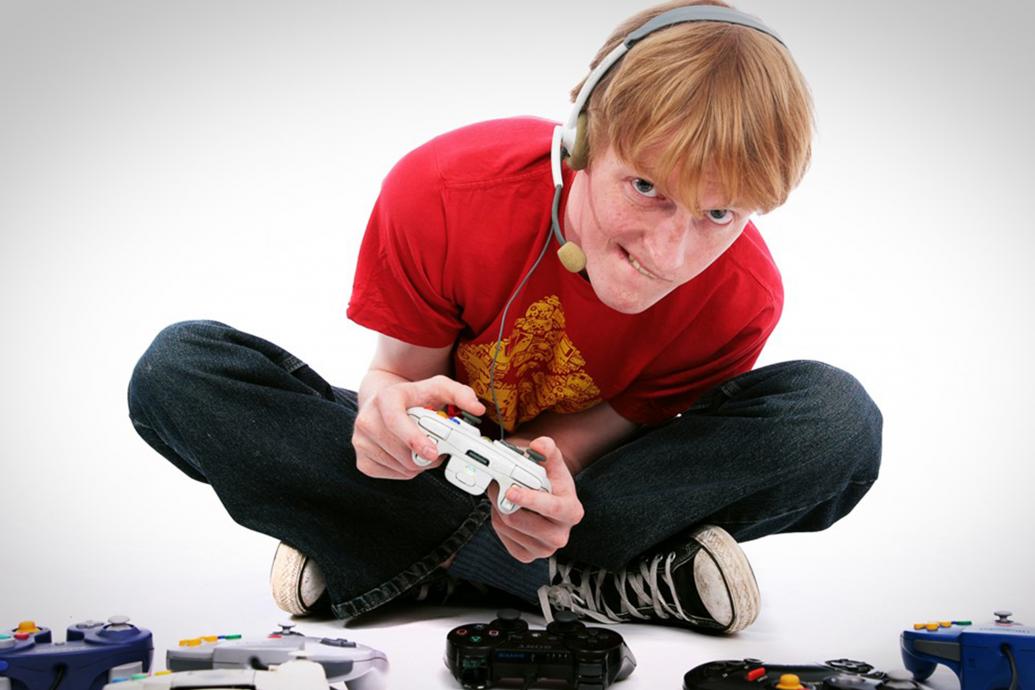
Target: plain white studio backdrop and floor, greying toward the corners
column 170, row 161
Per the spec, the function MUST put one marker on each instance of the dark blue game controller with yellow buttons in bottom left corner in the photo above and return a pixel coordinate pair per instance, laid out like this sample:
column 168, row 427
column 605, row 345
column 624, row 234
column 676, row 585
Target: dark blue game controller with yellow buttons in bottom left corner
column 93, row 654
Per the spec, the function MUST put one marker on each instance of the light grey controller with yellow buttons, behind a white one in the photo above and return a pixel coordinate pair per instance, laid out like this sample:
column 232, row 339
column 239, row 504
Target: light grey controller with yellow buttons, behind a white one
column 360, row 667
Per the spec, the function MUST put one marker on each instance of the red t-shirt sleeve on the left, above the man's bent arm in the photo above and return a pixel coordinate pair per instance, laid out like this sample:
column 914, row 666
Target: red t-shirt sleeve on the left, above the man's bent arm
column 401, row 288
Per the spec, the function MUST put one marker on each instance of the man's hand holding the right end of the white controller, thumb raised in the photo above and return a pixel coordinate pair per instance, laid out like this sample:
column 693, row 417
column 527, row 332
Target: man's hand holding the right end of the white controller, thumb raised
column 545, row 521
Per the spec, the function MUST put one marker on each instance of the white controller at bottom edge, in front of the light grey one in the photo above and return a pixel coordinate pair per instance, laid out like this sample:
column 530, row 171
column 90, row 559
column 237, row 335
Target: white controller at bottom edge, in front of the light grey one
column 299, row 675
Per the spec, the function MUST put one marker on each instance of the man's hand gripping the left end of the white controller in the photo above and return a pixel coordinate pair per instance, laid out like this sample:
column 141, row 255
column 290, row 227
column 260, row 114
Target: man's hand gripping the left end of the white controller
column 385, row 435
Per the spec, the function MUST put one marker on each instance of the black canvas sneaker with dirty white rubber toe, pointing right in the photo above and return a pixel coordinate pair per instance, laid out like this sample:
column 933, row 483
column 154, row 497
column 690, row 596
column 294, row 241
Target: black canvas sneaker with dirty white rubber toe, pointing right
column 706, row 585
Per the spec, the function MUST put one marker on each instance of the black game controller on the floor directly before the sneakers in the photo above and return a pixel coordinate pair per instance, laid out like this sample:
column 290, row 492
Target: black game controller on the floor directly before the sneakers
column 481, row 656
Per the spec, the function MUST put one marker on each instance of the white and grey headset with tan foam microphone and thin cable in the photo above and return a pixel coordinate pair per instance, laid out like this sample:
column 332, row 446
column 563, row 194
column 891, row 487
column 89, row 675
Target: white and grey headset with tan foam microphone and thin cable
column 571, row 141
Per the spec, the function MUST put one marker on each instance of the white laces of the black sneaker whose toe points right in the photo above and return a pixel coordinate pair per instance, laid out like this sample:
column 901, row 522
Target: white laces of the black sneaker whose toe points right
column 585, row 598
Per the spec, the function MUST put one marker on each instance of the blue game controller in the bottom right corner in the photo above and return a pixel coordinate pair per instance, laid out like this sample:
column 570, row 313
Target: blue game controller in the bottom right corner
column 995, row 656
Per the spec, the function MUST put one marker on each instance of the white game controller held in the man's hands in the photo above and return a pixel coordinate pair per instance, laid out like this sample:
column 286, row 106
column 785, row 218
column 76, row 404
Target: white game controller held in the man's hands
column 476, row 461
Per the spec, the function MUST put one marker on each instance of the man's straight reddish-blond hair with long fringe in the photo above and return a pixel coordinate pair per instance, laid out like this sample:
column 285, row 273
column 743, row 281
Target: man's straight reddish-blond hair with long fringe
column 705, row 102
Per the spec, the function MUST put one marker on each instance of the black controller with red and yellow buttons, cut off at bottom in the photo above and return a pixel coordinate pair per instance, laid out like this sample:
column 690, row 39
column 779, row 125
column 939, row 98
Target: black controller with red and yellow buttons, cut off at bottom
column 757, row 675
